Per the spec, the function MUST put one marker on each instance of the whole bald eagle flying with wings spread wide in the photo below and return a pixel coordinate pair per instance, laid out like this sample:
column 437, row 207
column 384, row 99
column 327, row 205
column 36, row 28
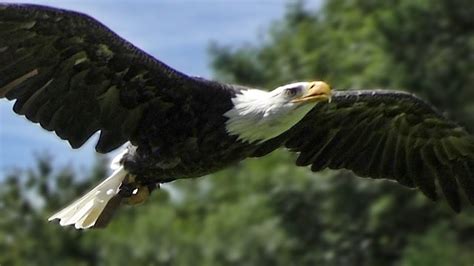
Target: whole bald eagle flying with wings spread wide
column 74, row 76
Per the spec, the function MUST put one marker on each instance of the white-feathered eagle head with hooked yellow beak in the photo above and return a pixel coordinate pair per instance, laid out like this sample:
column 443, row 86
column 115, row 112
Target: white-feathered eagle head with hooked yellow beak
column 259, row 115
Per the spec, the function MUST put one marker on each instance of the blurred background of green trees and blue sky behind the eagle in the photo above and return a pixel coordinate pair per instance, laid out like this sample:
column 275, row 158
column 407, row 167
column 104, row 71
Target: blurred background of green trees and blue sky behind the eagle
column 265, row 211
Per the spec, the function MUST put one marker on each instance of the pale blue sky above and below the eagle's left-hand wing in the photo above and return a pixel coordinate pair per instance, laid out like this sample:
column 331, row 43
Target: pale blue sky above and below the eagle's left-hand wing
column 177, row 32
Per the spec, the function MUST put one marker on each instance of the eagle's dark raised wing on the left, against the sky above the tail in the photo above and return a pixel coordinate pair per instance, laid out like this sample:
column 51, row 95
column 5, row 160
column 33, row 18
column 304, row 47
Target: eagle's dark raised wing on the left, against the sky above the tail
column 74, row 76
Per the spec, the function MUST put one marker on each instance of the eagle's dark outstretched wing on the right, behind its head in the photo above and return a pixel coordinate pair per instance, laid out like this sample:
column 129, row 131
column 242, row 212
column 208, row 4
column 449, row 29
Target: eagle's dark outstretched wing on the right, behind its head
column 387, row 134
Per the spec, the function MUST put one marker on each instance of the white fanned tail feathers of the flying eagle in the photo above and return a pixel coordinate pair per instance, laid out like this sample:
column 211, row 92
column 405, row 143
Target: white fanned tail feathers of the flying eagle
column 85, row 212
